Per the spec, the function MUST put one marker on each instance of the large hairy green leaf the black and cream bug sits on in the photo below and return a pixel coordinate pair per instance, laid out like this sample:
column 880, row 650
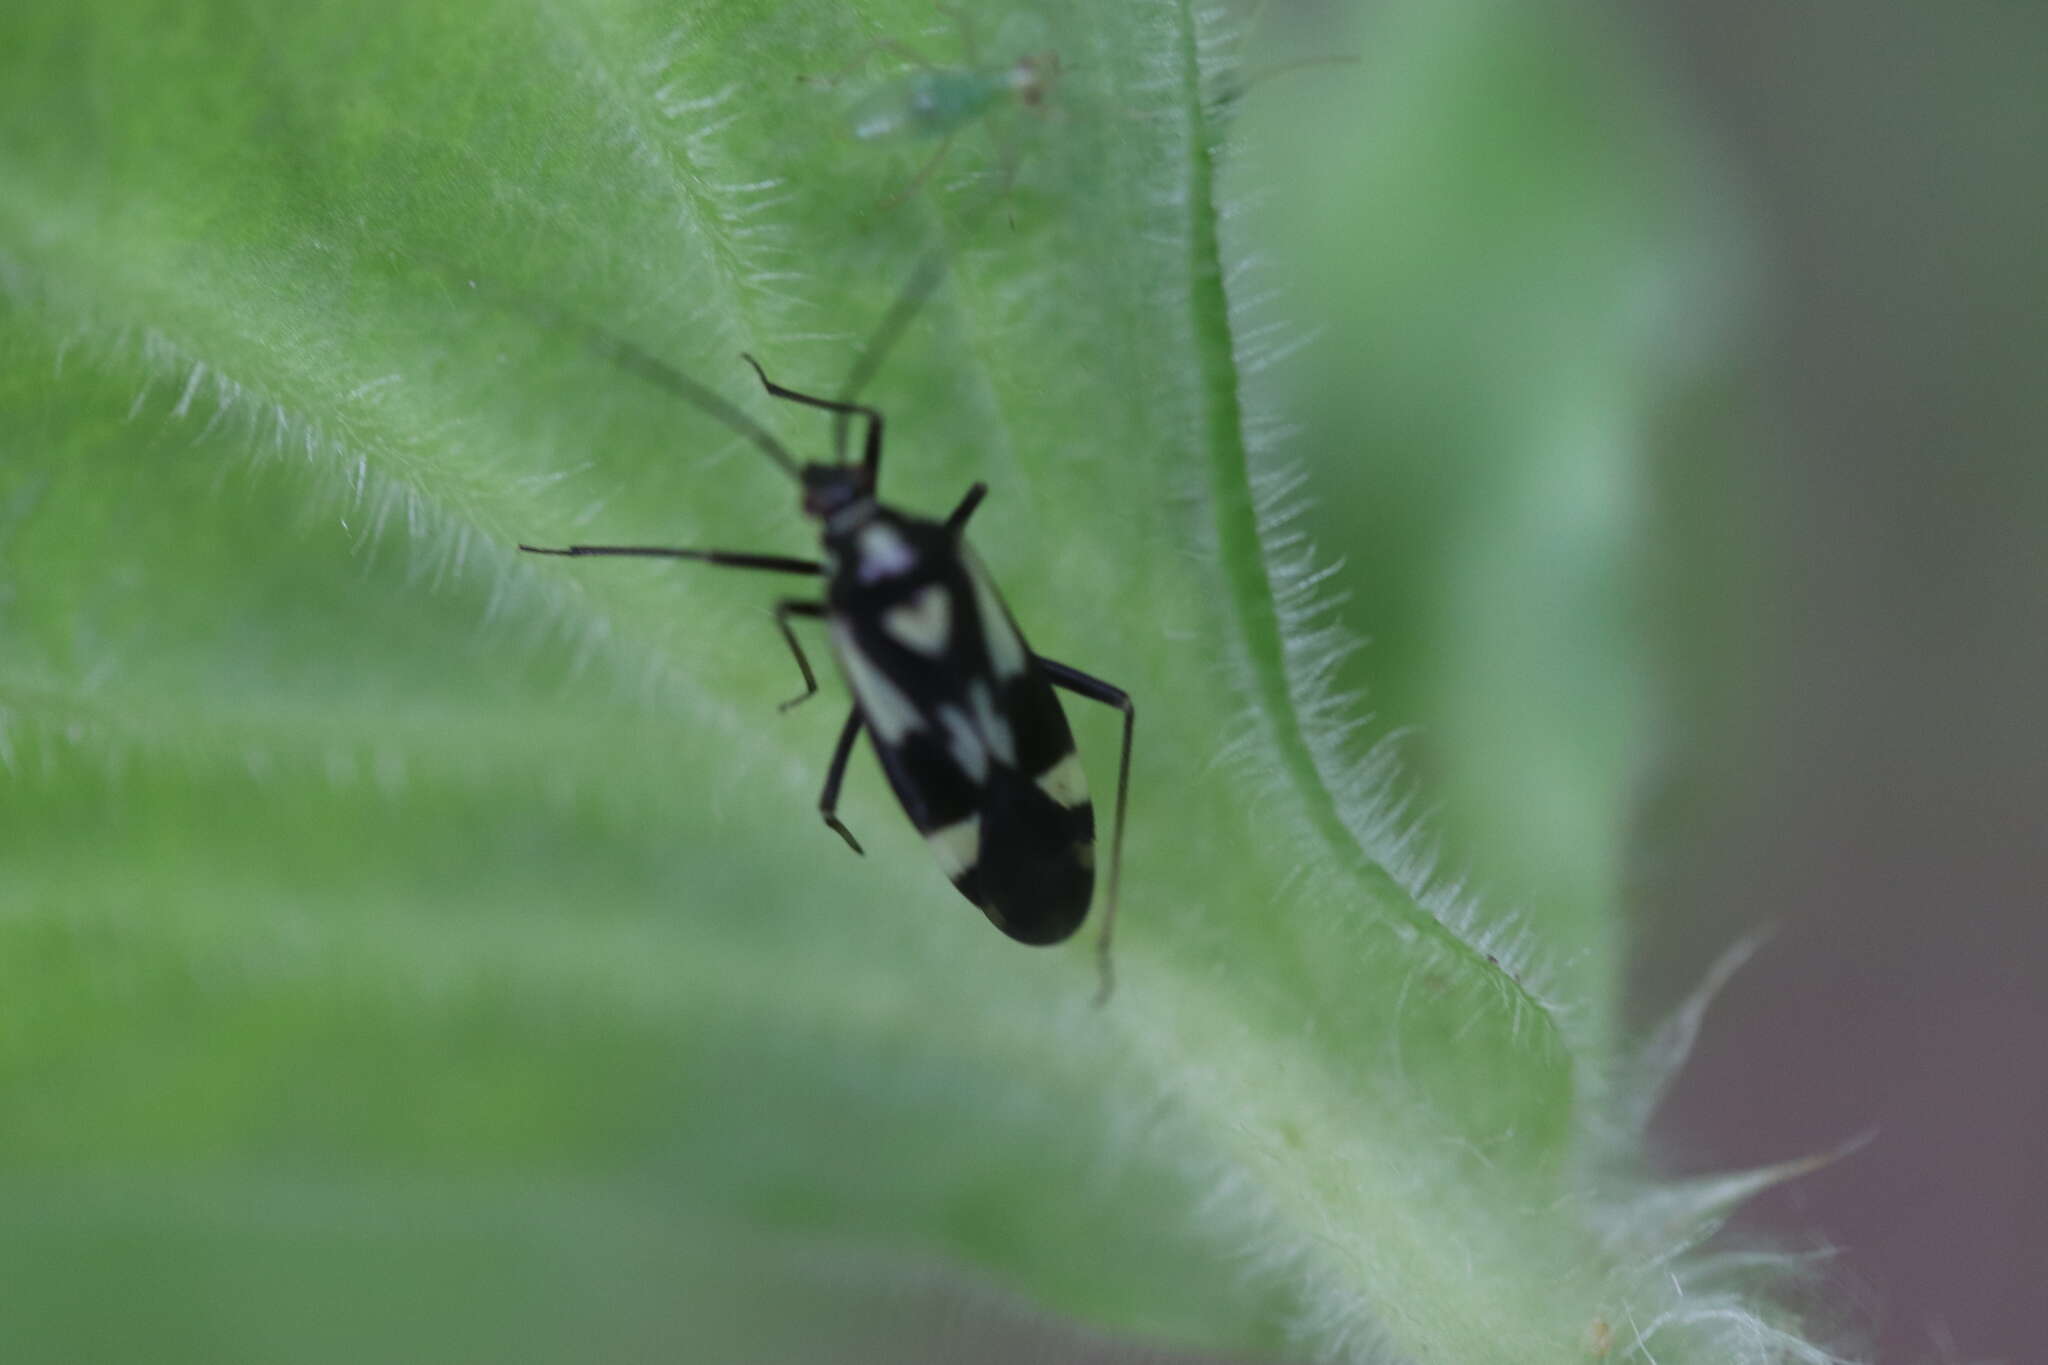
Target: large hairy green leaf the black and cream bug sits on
column 417, row 949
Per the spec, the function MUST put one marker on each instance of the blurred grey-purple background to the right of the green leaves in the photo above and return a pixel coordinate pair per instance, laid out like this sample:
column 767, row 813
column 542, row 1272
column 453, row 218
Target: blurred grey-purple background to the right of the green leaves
column 1885, row 801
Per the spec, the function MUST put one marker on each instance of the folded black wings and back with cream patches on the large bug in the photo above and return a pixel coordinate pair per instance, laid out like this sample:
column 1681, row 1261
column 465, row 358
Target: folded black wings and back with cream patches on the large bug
column 966, row 723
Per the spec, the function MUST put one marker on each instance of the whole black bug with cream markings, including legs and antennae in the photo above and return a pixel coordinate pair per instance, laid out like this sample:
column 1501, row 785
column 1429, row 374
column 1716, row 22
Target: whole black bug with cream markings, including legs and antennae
column 962, row 713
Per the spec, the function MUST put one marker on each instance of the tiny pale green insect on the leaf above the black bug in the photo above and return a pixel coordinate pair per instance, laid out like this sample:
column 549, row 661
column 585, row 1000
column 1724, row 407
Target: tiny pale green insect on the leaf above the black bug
column 931, row 101
